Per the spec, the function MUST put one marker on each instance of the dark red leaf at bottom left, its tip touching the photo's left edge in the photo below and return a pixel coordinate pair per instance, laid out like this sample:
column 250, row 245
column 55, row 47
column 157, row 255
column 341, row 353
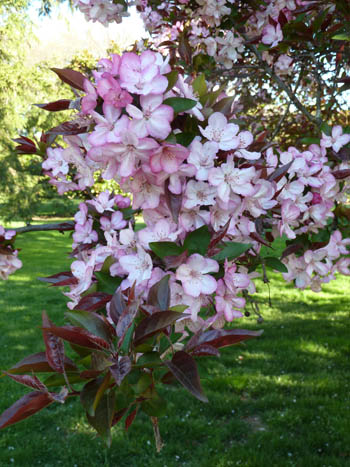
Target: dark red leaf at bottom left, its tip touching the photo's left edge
column 28, row 405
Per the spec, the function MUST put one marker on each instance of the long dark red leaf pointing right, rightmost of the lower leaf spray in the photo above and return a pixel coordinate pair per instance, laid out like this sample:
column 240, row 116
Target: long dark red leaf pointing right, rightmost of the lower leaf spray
column 222, row 337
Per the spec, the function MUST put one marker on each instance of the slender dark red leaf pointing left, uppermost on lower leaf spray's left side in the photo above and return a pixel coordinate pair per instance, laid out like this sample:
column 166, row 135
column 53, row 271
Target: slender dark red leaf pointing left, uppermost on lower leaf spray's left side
column 78, row 336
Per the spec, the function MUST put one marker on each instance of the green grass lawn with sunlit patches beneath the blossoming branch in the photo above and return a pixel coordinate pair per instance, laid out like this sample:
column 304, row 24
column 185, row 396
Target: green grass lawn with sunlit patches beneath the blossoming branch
column 280, row 400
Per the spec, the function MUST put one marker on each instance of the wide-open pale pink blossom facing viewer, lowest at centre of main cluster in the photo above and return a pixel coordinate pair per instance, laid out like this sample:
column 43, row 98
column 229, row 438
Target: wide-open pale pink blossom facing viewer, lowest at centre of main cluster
column 194, row 275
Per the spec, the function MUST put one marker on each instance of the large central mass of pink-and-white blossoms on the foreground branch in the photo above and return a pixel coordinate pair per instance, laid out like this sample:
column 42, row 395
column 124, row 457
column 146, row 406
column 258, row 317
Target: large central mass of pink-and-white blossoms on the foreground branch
column 209, row 182
